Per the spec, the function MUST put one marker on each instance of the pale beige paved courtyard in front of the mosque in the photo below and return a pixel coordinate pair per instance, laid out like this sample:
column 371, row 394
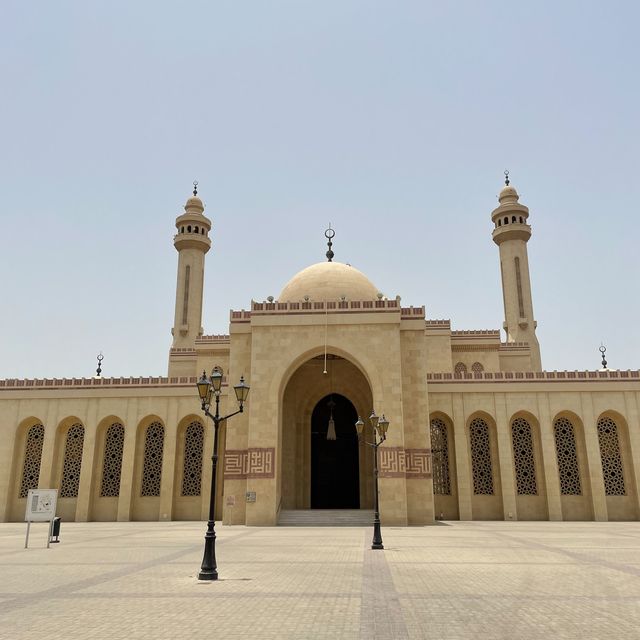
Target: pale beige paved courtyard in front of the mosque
column 487, row 580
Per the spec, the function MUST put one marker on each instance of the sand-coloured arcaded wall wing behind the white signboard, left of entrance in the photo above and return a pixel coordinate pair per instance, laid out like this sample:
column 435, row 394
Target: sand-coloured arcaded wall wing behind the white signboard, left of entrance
column 138, row 453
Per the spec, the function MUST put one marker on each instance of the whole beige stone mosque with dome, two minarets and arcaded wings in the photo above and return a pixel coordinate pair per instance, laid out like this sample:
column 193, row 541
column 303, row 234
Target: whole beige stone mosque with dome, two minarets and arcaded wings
column 478, row 430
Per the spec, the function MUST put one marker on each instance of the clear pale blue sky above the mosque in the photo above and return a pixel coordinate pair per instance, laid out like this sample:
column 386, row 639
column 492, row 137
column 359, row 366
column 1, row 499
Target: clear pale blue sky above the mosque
column 392, row 120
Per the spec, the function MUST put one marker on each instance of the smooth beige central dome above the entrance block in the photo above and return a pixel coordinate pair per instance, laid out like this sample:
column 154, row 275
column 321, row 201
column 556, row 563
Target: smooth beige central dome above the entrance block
column 328, row 281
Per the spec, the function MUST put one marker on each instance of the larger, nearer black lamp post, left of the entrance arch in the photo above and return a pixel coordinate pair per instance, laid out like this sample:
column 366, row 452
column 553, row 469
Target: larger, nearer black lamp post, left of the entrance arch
column 207, row 389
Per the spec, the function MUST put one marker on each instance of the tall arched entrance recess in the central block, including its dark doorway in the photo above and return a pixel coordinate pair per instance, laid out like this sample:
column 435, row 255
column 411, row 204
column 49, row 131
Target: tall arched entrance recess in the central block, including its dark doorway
column 318, row 473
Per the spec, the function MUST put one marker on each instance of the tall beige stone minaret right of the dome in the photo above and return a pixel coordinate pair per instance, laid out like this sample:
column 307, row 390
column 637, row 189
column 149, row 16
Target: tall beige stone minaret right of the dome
column 511, row 234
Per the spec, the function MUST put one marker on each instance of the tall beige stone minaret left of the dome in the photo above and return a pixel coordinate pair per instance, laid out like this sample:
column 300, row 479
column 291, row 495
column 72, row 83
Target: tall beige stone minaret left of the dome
column 192, row 243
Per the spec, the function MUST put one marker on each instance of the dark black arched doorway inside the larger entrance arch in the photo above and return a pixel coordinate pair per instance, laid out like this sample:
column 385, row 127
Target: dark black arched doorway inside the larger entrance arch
column 334, row 463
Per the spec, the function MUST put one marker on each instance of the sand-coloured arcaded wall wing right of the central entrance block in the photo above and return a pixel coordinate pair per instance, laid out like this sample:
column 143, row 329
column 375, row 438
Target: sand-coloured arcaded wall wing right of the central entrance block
column 535, row 450
